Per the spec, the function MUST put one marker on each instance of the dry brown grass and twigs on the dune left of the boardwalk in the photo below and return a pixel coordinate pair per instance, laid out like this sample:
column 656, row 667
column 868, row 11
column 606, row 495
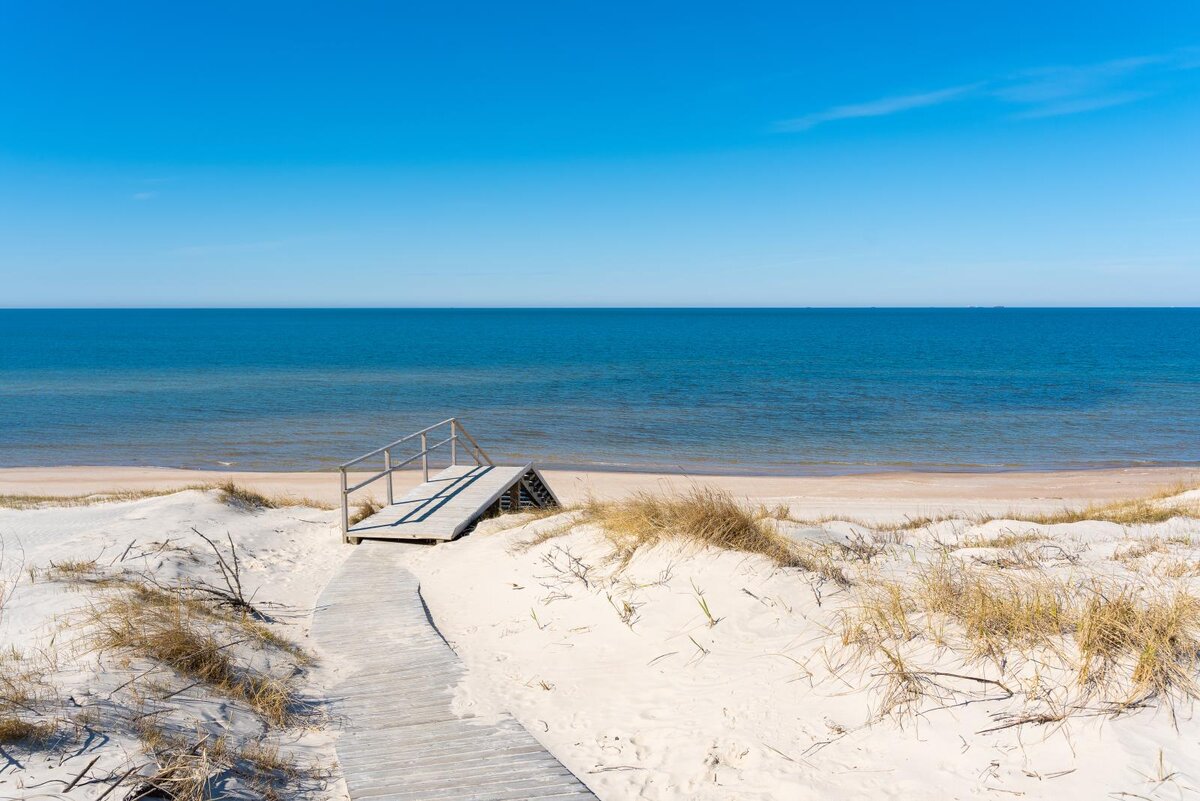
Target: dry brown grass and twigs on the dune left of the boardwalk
column 173, row 639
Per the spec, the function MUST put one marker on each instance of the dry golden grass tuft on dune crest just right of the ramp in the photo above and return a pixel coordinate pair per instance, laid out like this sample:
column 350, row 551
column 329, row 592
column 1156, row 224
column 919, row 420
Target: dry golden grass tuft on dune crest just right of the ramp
column 705, row 517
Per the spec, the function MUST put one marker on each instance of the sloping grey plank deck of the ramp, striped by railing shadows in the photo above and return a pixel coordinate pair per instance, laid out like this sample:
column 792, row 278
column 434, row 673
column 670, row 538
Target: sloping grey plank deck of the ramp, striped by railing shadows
column 445, row 507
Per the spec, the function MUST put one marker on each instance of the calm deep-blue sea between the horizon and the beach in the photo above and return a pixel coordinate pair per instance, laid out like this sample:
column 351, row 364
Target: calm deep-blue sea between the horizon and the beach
column 771, row 392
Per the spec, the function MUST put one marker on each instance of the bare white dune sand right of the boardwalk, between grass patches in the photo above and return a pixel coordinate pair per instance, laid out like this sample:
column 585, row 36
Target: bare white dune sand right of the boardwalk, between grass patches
column 770, row 709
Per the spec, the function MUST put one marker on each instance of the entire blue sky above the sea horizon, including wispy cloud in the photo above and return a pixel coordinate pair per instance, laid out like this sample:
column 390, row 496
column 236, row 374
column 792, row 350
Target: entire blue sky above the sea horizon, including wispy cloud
column 579, row 154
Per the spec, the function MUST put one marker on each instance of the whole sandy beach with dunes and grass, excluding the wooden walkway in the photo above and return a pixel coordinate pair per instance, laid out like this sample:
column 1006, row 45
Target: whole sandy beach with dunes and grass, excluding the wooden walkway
column 663, row 668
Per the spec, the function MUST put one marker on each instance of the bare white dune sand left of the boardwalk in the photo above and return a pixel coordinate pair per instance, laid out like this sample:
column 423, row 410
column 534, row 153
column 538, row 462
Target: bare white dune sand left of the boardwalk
column 287, row 557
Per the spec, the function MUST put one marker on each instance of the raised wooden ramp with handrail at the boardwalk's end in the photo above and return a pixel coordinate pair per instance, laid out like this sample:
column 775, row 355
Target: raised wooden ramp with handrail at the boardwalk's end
column 448, row 503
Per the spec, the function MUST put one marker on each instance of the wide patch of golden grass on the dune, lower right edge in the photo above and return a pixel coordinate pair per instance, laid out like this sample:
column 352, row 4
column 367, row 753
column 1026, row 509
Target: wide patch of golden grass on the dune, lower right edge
column 1119, row 642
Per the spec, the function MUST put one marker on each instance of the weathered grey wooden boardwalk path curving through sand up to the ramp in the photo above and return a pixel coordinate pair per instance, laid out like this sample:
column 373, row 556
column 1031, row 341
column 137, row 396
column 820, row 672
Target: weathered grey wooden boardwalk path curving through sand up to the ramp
column 400, row 739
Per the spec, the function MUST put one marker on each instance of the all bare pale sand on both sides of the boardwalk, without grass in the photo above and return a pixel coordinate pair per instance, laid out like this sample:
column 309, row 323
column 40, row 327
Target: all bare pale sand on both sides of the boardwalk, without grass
column 761, row 706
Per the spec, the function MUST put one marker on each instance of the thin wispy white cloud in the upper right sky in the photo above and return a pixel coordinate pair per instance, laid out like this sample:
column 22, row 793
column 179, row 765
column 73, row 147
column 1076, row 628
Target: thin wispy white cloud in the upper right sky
column 1039, row 93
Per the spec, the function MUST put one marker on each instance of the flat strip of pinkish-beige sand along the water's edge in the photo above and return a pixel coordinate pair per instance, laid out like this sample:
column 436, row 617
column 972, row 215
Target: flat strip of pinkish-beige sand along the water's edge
column 874, row 496
